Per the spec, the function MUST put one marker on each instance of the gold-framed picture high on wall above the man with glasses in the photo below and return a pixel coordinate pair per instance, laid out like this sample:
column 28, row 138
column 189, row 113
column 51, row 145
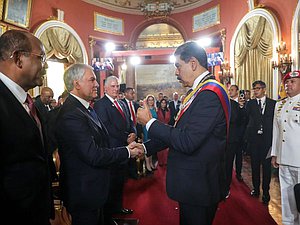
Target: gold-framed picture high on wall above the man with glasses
column 17, row 12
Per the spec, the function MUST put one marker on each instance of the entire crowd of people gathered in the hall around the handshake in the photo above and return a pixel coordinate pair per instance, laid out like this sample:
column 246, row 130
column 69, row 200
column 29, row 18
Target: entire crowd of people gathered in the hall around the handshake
column 197, row 136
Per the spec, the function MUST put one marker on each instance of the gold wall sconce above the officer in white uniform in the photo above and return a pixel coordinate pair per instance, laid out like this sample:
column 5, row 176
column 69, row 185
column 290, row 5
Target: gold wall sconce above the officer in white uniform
column 285, row 61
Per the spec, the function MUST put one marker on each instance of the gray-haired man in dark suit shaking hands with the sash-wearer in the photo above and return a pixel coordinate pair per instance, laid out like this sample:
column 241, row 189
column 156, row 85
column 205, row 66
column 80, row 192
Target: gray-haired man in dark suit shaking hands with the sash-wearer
column 84, row 150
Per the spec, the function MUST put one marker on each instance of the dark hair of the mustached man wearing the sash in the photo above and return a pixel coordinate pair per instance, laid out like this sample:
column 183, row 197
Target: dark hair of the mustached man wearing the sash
column 192, row 49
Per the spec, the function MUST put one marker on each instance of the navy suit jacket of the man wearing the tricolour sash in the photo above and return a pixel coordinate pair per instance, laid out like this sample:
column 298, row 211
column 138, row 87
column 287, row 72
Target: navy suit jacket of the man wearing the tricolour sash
column 196, row 150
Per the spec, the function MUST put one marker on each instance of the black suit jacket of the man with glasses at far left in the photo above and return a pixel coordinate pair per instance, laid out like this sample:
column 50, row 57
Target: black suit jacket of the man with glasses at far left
column 24, row 173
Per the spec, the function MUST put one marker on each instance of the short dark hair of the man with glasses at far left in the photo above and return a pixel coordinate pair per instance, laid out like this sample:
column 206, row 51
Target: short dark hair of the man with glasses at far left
column 14, row 40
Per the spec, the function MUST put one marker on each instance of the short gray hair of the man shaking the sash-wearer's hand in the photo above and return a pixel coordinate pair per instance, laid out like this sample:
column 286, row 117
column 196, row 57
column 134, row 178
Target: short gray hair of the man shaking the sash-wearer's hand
column 74, row 72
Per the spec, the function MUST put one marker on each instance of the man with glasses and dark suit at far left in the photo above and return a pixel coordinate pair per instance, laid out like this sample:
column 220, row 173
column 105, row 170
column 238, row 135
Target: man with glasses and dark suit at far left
column 24, row 180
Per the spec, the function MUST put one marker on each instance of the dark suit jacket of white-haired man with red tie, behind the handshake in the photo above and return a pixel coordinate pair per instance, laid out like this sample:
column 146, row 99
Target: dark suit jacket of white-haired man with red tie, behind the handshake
column 117, row 127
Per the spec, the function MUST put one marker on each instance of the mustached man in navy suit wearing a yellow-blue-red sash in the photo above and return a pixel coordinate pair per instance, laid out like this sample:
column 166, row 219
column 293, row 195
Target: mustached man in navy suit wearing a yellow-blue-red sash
column 197, row 142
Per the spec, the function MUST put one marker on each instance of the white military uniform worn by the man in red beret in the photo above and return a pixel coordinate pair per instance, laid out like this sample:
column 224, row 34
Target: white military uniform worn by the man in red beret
column 286, row 147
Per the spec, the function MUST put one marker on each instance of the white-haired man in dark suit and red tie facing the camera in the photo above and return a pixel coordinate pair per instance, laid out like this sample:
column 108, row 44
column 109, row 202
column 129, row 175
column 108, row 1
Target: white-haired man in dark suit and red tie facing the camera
column 116, row 118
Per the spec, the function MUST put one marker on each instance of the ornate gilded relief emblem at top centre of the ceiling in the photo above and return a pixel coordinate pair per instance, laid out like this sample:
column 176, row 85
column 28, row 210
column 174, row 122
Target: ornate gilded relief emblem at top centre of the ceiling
column 156, row 8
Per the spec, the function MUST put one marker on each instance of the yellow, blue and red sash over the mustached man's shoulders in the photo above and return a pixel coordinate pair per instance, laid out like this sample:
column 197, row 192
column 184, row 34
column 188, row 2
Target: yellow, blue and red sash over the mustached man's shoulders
column 211, row 85
